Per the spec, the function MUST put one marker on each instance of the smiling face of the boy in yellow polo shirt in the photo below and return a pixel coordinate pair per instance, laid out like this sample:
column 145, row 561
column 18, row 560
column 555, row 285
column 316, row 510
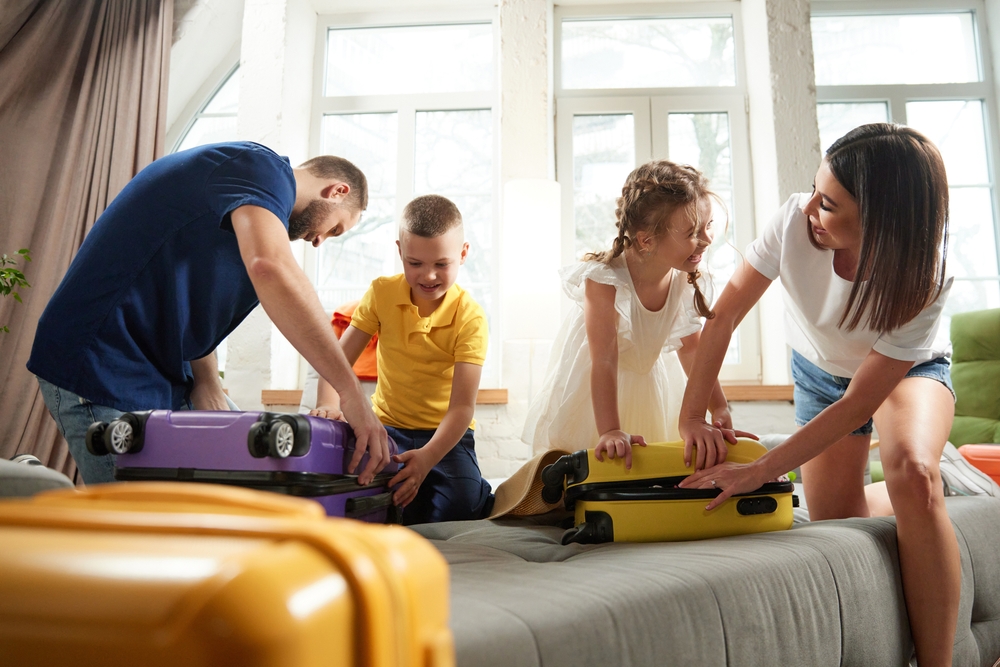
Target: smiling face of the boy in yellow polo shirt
column 430, row 265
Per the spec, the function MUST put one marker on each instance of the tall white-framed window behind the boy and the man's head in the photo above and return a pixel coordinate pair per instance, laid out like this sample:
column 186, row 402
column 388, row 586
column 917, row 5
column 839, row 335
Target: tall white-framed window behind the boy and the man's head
column 416, row 120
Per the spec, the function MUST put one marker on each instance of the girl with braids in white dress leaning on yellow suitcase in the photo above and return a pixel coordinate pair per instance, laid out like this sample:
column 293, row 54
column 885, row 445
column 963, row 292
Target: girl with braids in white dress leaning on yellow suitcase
column 616, row 375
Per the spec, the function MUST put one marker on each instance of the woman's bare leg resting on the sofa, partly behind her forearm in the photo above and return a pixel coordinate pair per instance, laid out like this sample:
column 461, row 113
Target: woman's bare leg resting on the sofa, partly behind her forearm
column 833, row 481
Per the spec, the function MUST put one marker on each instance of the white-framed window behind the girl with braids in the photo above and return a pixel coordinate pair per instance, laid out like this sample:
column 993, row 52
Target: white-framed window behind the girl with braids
column 631, row 89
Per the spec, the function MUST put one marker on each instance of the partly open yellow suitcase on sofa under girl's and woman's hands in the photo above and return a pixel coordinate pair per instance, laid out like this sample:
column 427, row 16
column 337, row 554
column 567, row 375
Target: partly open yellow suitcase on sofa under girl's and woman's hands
column 644, row 504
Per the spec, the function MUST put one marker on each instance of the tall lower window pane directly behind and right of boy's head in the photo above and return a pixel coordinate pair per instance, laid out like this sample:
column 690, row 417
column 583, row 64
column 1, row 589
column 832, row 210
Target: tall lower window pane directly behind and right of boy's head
column 453, row 156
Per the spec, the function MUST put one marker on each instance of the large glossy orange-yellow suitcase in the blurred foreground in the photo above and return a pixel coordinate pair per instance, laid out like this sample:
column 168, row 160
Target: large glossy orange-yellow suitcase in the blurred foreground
column 168, row 573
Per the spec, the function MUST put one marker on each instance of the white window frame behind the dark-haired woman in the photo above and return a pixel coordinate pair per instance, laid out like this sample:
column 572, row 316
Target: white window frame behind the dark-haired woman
column 896, row 96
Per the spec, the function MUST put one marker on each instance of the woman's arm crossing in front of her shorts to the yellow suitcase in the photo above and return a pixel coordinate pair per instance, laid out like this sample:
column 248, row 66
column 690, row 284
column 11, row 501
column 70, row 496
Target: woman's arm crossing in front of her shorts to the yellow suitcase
column 877, row 377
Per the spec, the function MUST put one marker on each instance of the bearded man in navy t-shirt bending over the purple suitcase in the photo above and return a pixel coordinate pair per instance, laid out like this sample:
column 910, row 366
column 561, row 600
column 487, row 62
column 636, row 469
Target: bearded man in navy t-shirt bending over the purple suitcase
column 181, row 256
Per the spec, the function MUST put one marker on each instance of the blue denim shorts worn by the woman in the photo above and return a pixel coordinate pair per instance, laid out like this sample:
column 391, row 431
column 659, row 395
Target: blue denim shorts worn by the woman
column 815, row 389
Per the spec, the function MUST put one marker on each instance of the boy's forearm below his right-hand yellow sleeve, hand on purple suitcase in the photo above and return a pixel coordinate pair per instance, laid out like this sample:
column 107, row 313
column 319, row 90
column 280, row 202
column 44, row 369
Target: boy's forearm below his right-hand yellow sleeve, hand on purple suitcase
column 461, row 409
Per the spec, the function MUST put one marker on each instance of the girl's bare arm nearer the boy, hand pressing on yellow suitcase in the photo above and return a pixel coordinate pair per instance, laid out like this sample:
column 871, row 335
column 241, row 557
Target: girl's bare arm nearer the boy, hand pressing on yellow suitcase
column 601, row 322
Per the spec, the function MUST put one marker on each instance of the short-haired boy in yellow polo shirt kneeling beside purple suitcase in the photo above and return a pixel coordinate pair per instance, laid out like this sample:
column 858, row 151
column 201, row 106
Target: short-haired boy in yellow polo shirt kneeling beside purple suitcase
column 431, row 350
